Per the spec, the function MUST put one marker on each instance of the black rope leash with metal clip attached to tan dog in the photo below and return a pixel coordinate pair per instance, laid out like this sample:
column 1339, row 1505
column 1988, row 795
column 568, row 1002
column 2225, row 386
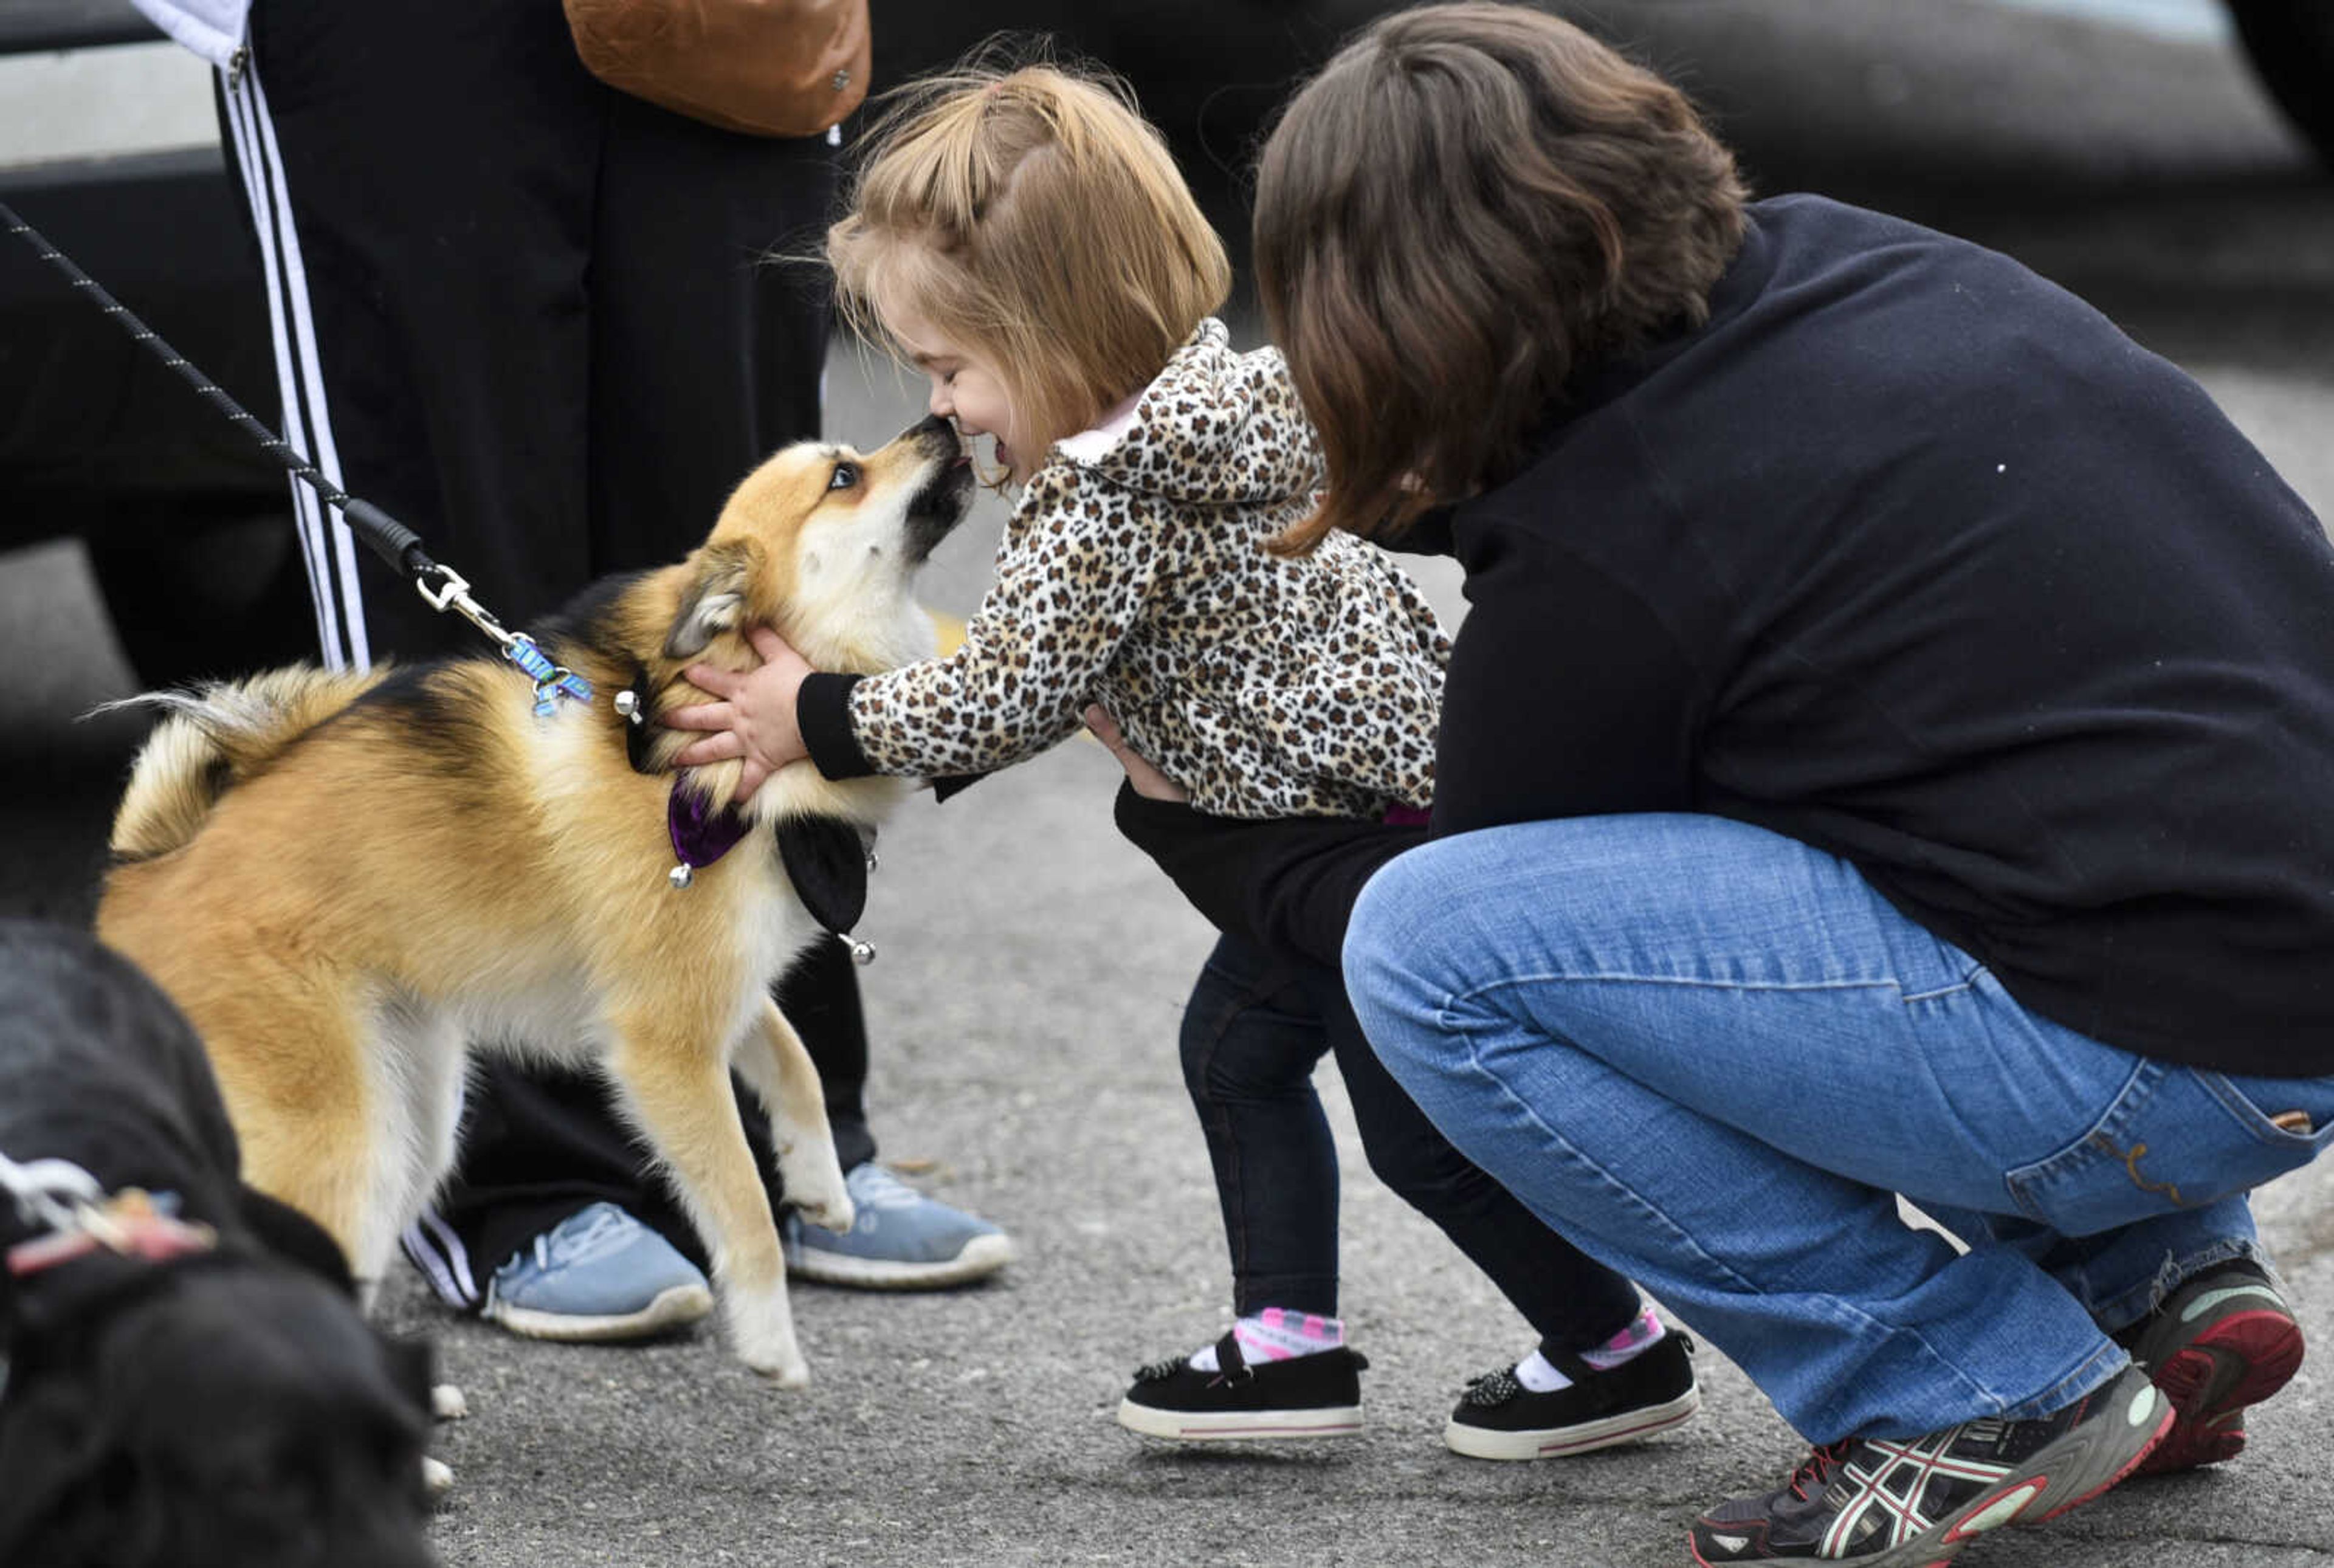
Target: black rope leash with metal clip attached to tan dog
column 398, row 545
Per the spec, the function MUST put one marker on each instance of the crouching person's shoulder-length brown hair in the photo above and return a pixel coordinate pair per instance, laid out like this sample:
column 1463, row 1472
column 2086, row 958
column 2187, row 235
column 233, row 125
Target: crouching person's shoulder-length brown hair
column 1469, row 206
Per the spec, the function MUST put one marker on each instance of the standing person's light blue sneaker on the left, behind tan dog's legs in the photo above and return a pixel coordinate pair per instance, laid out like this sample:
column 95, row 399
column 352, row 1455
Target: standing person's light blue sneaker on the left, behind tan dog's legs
column 596, row 1275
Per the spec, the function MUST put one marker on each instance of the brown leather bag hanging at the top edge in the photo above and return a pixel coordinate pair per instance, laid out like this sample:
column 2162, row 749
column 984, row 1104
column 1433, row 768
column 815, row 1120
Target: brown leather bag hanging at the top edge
column 760, row 66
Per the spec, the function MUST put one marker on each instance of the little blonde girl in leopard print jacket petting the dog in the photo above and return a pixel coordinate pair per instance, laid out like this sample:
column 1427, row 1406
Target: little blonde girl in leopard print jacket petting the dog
column 1028, row 244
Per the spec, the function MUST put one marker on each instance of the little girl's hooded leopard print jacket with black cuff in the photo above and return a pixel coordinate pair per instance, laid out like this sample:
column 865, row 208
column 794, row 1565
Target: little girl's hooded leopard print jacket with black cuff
column 1135, row 577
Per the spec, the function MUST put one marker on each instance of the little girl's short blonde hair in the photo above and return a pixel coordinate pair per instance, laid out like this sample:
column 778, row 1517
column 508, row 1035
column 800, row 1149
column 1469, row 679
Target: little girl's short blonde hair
column 1033, row 216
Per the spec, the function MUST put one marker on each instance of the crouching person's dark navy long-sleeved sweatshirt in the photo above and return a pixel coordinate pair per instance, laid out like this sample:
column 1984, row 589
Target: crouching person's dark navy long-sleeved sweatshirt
column 1915, row 559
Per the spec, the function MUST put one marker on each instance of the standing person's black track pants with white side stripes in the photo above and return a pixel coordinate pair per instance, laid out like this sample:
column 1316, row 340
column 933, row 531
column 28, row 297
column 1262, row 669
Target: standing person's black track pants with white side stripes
column 540, row 323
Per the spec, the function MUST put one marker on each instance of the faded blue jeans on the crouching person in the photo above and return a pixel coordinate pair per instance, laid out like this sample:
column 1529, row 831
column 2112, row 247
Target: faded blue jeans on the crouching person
column 1714, row 1056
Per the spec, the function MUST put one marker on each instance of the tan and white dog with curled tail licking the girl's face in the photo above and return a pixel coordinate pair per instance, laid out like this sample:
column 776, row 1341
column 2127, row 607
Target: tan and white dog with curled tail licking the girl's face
column 347, row 878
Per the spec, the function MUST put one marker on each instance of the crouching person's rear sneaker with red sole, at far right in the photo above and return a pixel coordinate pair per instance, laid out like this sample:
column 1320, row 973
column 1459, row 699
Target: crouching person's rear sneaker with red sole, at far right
column 2221, row 1343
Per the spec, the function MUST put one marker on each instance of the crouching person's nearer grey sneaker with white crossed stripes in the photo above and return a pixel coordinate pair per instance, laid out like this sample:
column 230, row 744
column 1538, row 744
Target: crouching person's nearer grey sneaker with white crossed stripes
column 1920, row 1501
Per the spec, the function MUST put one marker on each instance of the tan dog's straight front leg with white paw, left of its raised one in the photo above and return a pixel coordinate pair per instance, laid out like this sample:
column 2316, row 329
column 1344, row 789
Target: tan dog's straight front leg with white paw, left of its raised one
column 683, row 1098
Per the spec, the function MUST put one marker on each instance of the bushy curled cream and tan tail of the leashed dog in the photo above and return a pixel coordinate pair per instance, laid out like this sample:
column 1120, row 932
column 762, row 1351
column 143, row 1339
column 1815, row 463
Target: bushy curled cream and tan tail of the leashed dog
column 214, row 738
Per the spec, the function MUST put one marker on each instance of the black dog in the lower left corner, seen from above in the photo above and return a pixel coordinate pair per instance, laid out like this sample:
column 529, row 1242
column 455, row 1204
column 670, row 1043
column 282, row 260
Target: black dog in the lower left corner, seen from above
column 218, row 1410
